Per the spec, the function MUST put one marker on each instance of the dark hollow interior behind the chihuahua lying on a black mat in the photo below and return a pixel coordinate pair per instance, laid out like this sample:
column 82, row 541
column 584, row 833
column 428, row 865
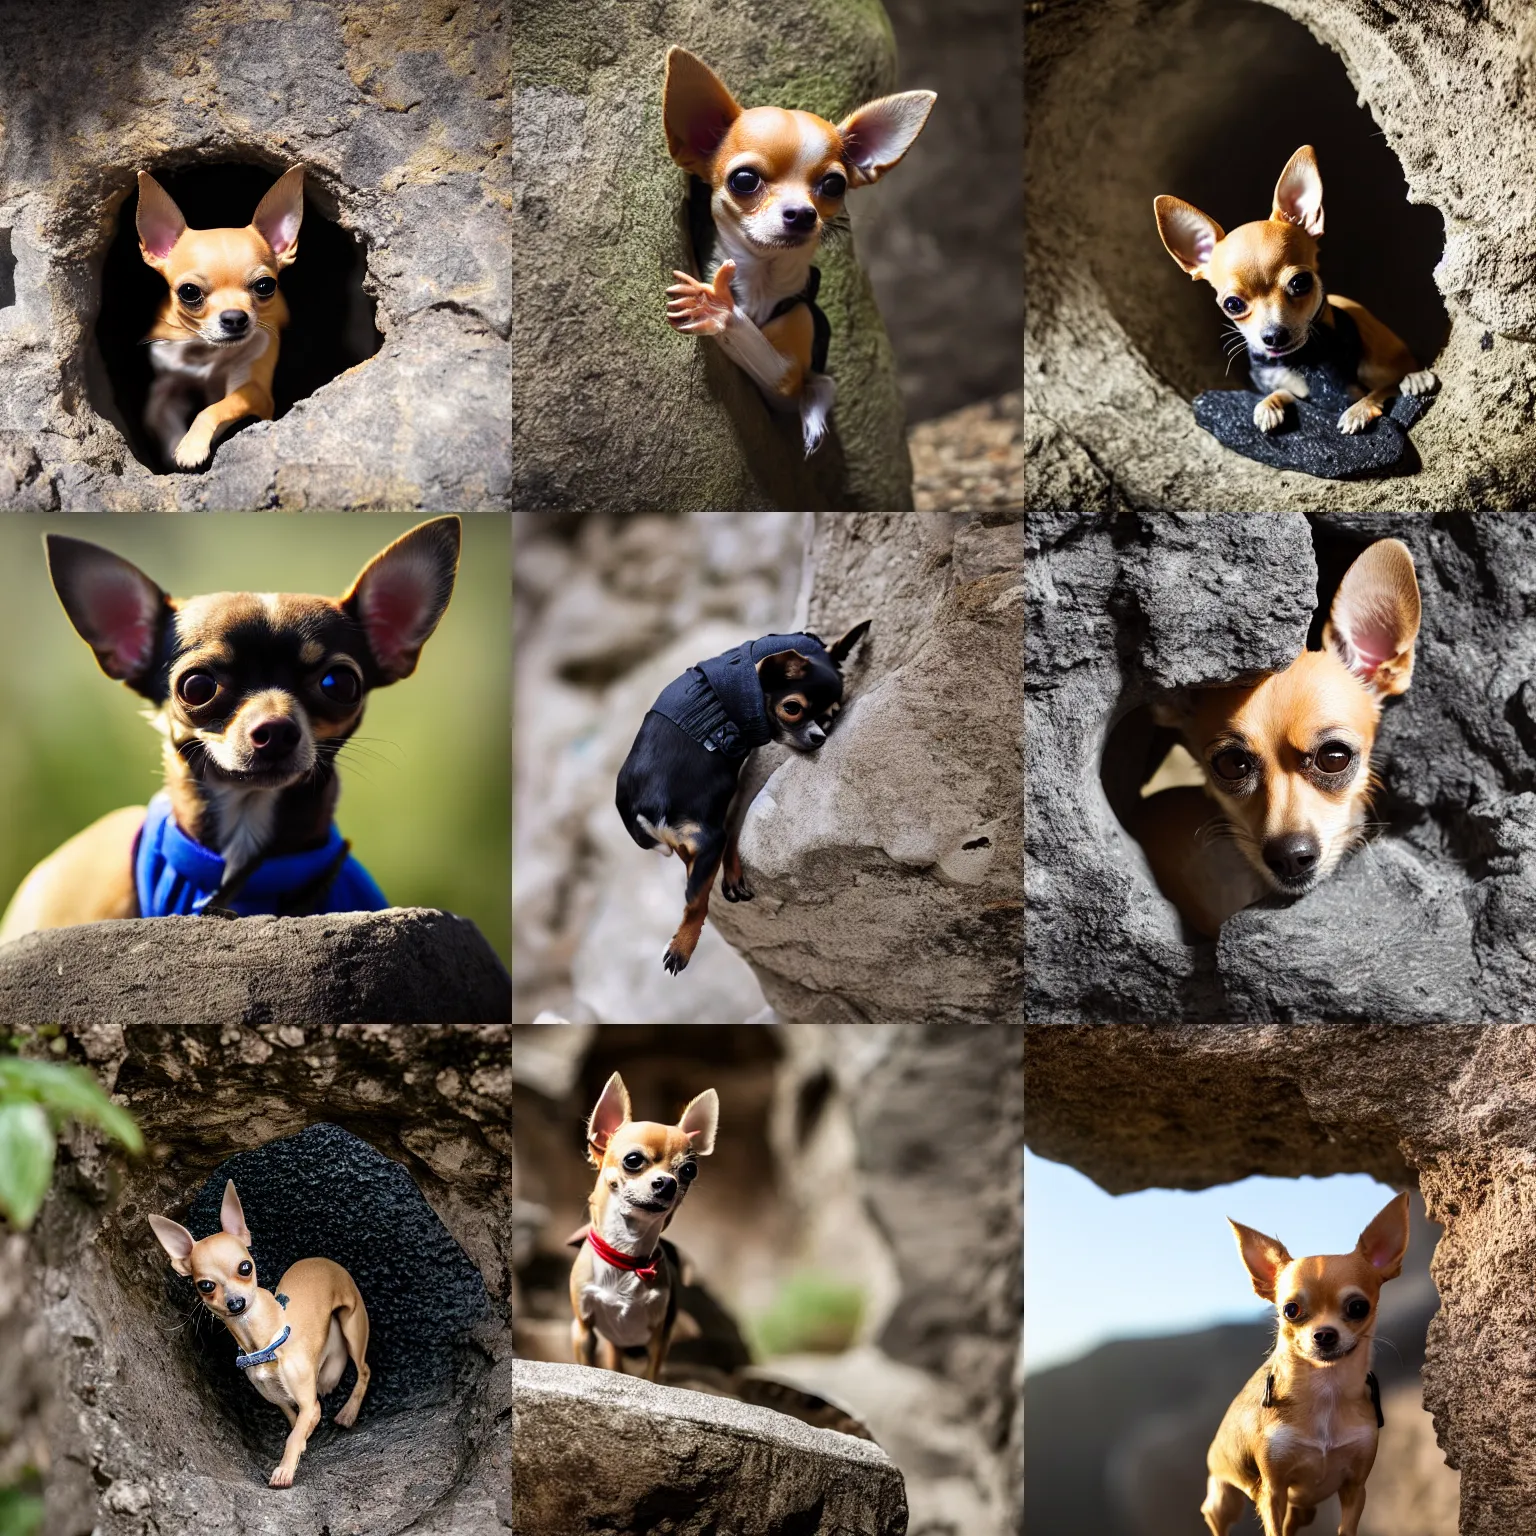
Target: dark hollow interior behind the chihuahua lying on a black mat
column 1200, row 111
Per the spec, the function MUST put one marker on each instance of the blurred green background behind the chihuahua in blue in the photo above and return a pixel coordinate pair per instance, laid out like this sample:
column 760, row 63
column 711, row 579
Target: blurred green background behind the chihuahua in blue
column 426, row 786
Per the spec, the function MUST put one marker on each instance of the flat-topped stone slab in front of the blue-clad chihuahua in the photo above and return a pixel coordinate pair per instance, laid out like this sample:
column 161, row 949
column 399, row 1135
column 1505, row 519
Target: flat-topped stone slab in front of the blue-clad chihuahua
column 406, row 965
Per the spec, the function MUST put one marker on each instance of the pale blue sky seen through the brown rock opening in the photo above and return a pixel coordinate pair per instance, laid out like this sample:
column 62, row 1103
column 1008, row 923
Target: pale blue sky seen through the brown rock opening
column 1162, row 1262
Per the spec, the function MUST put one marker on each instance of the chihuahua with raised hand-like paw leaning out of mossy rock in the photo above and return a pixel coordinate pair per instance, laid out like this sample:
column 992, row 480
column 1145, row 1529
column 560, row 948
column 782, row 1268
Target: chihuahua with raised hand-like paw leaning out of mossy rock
column 776, row 182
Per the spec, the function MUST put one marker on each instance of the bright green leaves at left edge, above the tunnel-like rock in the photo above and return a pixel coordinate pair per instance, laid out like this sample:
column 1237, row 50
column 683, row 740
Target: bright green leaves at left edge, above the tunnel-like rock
column 36, row 1101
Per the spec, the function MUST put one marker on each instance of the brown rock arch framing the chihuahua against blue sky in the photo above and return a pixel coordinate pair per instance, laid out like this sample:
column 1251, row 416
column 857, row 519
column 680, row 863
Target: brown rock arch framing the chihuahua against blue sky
column 1449, row 1108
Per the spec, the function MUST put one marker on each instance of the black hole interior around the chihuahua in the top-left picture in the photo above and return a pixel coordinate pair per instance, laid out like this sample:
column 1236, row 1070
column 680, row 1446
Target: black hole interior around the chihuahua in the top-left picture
column 331, row 319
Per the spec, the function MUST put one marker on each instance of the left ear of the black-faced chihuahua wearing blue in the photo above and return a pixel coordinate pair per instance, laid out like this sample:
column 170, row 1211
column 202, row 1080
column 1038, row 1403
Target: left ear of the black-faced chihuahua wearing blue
column 116, row 609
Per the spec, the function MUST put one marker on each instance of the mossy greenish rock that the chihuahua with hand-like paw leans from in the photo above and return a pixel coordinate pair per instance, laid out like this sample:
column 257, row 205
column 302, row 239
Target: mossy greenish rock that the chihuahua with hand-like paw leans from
column 612, row 406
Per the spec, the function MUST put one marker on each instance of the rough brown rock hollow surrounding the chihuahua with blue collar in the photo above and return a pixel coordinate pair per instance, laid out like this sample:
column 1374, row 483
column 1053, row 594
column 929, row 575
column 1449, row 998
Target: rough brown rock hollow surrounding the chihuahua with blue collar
column 142, row 1435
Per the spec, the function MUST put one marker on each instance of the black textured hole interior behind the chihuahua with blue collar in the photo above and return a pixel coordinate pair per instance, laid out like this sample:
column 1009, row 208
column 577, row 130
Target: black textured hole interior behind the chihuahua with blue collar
column 326, row 1194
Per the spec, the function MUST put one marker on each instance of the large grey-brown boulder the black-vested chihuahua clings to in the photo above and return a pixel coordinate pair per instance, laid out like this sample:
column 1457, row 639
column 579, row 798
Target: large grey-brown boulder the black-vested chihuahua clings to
column 886, row 866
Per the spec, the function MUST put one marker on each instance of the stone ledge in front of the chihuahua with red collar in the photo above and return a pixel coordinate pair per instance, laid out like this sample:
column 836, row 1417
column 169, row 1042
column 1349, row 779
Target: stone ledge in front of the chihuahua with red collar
column 611, row 1455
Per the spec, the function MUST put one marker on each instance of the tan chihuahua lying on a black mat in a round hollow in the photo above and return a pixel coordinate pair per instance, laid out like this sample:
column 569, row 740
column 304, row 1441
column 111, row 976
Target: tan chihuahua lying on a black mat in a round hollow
column 1268, row 285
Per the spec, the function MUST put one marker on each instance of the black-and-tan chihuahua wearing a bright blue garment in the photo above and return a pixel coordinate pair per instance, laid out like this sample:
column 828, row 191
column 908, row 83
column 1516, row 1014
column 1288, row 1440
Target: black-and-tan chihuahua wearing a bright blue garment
column 256, row 695
